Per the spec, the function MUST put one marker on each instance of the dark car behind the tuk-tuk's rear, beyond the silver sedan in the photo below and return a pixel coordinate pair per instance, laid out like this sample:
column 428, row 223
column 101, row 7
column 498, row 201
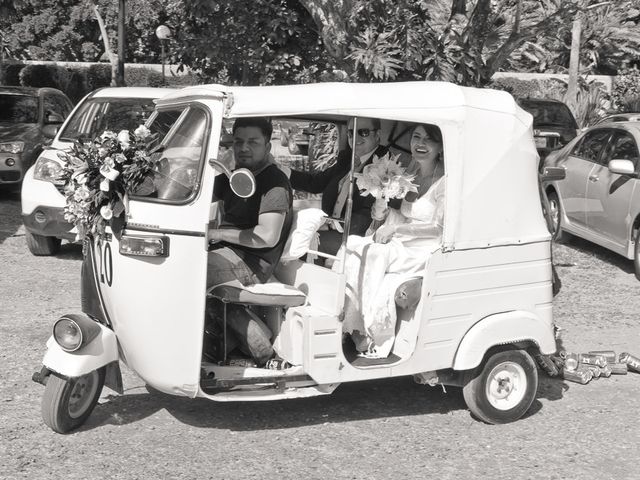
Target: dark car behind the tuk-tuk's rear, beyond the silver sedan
column 553, row 124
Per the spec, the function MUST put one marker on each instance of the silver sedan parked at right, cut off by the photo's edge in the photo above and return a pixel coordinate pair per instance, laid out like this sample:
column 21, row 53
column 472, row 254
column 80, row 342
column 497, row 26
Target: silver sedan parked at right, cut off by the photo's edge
column 599, row 200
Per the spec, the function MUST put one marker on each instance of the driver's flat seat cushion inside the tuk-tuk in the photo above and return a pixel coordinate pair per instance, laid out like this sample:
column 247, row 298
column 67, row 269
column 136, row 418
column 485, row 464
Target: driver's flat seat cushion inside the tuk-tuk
column 268, row 294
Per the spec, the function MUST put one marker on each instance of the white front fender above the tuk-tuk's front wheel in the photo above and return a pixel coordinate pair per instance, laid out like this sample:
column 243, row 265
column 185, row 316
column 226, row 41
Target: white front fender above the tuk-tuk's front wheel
column 102, row 350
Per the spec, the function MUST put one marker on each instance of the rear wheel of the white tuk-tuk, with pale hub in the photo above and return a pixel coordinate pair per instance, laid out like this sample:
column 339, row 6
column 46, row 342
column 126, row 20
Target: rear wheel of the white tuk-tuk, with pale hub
column 503, row 388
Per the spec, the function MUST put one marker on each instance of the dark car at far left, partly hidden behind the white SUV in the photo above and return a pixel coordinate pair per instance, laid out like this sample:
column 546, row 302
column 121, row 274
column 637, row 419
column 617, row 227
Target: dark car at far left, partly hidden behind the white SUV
column 29, row 118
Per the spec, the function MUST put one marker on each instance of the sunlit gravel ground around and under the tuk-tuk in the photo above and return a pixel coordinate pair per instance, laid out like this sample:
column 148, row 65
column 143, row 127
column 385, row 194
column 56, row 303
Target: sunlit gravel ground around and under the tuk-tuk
column 371, row 430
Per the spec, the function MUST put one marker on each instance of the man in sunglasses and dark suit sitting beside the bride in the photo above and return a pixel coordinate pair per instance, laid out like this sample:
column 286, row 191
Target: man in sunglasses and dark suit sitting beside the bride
column 334, row 185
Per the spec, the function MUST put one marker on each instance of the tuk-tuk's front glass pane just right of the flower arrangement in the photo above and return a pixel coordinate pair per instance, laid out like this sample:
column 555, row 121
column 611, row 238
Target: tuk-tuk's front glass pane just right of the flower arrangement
column 181, row 134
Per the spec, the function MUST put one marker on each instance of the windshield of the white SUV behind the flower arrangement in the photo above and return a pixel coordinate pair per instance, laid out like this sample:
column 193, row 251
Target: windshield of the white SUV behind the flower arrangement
column 100, row 114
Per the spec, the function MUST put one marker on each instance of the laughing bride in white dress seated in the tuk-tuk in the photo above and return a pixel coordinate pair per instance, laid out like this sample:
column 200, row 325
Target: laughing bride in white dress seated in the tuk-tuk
column 376, row 265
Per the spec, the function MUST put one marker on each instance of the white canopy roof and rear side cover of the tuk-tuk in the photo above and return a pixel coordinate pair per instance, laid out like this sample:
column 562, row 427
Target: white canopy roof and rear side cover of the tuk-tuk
column 492, row 195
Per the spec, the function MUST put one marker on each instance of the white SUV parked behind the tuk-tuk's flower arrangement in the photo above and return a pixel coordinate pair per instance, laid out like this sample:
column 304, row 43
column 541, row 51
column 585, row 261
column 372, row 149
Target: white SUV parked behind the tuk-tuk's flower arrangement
column 42, row 195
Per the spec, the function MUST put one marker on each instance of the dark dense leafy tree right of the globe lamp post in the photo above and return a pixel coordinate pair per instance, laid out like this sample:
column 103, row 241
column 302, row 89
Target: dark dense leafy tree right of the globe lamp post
column 247, row 41
